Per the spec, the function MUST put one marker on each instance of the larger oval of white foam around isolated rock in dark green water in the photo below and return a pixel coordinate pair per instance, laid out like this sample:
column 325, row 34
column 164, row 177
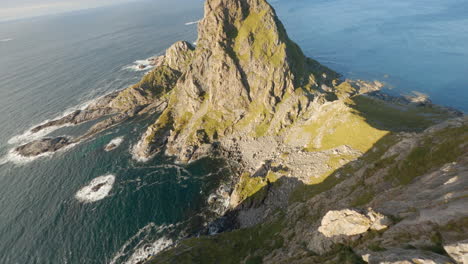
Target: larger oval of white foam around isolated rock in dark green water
column 96, row 190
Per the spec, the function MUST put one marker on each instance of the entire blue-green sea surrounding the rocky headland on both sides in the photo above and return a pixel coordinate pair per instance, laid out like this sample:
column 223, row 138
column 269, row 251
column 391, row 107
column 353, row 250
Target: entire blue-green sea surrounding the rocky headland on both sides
column 51, row 65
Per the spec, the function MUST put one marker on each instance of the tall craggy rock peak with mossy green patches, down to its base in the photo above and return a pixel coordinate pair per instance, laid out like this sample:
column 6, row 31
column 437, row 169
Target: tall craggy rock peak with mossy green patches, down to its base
column 243, row 68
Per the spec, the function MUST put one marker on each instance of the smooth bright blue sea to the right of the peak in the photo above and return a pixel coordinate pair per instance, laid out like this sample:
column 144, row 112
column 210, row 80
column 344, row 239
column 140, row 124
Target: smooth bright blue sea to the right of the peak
column 417, row 45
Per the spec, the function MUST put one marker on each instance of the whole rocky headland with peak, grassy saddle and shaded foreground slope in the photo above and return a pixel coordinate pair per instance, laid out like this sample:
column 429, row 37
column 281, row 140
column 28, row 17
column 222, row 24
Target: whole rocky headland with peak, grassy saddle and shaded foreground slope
column 327, row 170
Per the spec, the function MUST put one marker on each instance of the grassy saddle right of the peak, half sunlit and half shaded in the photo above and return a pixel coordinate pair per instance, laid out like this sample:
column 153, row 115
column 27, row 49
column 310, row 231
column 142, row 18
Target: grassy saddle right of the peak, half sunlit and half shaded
column 364, row 121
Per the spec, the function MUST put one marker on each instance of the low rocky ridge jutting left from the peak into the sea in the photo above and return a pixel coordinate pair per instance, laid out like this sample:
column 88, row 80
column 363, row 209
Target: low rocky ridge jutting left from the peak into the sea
column 149, row 96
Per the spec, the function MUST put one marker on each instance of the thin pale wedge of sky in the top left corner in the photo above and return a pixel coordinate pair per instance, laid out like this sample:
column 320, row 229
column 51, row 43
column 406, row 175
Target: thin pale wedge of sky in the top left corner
column 17, row 9
